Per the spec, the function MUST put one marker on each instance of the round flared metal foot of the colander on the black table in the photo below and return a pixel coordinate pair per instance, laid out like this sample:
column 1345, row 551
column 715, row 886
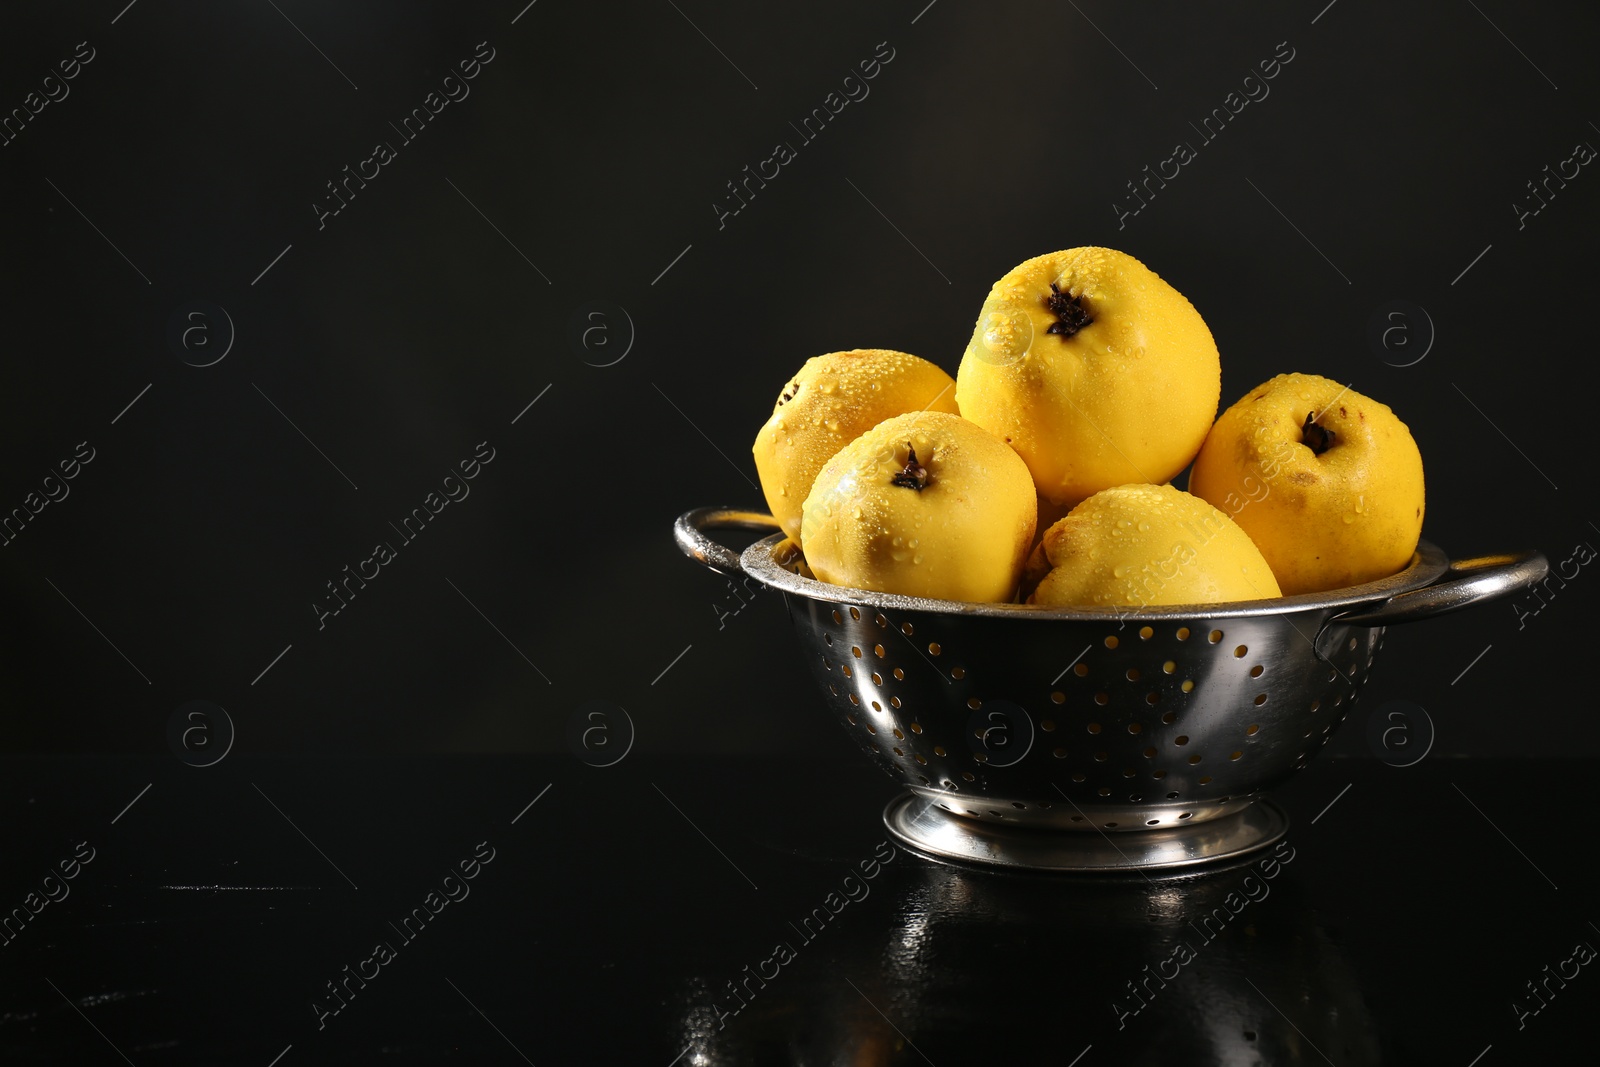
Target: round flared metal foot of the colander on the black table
column 929, row 829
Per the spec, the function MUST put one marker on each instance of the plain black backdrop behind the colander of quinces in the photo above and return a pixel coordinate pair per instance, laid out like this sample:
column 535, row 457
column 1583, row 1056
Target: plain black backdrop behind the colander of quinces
column 1393, row 150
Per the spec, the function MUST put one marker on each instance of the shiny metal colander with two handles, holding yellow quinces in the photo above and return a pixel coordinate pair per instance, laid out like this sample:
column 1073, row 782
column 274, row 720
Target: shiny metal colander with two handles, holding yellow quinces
column 1094, row 738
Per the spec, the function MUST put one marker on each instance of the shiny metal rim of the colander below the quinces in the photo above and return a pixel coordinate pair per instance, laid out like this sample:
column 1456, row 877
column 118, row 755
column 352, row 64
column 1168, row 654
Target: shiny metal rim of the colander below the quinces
column 1428, row 565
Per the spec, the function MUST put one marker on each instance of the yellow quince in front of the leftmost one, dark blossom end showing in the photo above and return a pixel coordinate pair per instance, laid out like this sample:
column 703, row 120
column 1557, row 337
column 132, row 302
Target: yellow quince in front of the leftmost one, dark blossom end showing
column 924, row 505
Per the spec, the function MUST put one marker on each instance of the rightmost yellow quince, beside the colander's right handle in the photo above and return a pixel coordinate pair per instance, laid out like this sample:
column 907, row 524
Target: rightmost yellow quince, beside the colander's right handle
column 1327, row 482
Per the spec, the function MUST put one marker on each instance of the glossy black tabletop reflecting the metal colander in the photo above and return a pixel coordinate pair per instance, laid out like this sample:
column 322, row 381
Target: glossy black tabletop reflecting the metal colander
column 732, row 913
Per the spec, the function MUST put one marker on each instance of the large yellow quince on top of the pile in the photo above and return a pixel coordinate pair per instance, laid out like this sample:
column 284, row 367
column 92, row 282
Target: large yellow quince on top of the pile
column 1095, row 370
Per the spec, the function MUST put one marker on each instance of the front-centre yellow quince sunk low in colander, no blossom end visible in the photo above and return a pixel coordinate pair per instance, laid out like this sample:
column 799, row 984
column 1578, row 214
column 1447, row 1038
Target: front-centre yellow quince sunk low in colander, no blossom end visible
column 1145, row 546
